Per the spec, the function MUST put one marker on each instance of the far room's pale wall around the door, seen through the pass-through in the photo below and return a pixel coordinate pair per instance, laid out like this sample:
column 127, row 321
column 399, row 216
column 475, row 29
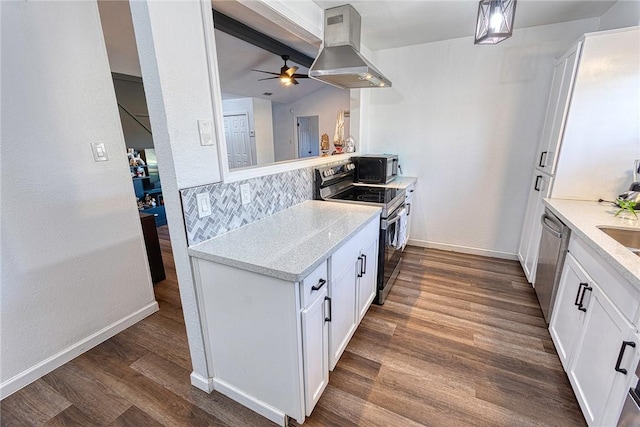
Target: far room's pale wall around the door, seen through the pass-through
column 323, row 103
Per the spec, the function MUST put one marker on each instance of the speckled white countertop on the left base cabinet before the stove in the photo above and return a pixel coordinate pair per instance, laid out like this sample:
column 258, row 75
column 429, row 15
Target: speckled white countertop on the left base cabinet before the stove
column 291, row 243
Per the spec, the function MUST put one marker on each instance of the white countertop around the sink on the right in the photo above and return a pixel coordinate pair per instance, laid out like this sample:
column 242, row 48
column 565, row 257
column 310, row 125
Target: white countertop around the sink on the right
column 583, row 217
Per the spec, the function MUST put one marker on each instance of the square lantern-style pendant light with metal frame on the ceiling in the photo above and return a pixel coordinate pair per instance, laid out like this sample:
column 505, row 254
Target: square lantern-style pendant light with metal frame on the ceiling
column 495, row 21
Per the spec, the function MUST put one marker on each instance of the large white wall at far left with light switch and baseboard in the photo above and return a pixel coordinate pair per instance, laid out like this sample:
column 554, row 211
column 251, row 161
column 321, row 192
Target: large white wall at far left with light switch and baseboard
column 74, row 270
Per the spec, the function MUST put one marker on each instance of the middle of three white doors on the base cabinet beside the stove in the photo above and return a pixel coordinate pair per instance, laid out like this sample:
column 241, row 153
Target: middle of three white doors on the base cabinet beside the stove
column 343, row 310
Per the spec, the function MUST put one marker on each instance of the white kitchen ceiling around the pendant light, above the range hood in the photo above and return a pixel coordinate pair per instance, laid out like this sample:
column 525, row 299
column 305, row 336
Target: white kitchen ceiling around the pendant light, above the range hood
column 389, row 24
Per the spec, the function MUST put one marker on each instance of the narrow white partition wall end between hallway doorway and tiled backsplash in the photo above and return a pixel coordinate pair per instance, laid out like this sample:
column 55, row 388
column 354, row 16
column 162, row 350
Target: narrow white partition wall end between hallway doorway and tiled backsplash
column 175, row 46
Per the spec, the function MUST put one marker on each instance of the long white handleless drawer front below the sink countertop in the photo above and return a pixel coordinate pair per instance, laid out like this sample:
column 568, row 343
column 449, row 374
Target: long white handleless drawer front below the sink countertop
column 614, row 286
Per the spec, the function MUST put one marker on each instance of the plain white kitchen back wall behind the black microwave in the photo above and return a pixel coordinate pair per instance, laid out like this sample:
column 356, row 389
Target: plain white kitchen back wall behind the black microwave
column 466, row 120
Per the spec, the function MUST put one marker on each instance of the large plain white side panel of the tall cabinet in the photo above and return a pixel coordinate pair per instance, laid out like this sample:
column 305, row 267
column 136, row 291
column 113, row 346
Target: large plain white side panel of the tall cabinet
column 602, row 127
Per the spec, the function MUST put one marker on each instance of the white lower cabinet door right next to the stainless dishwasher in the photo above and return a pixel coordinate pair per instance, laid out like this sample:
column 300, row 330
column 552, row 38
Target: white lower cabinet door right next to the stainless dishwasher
column 567, row 318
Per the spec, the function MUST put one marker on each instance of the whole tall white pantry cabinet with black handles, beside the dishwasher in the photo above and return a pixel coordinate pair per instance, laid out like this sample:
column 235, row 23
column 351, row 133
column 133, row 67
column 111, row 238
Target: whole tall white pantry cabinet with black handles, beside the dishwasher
column 590, row 133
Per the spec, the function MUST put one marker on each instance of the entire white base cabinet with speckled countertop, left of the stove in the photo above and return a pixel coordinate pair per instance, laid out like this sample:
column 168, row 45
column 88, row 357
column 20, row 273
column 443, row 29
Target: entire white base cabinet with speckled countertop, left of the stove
column 279, row 300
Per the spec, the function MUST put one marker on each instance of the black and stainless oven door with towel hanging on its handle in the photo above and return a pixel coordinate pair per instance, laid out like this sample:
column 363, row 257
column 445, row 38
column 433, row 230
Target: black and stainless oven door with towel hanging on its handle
column 389, row 235
